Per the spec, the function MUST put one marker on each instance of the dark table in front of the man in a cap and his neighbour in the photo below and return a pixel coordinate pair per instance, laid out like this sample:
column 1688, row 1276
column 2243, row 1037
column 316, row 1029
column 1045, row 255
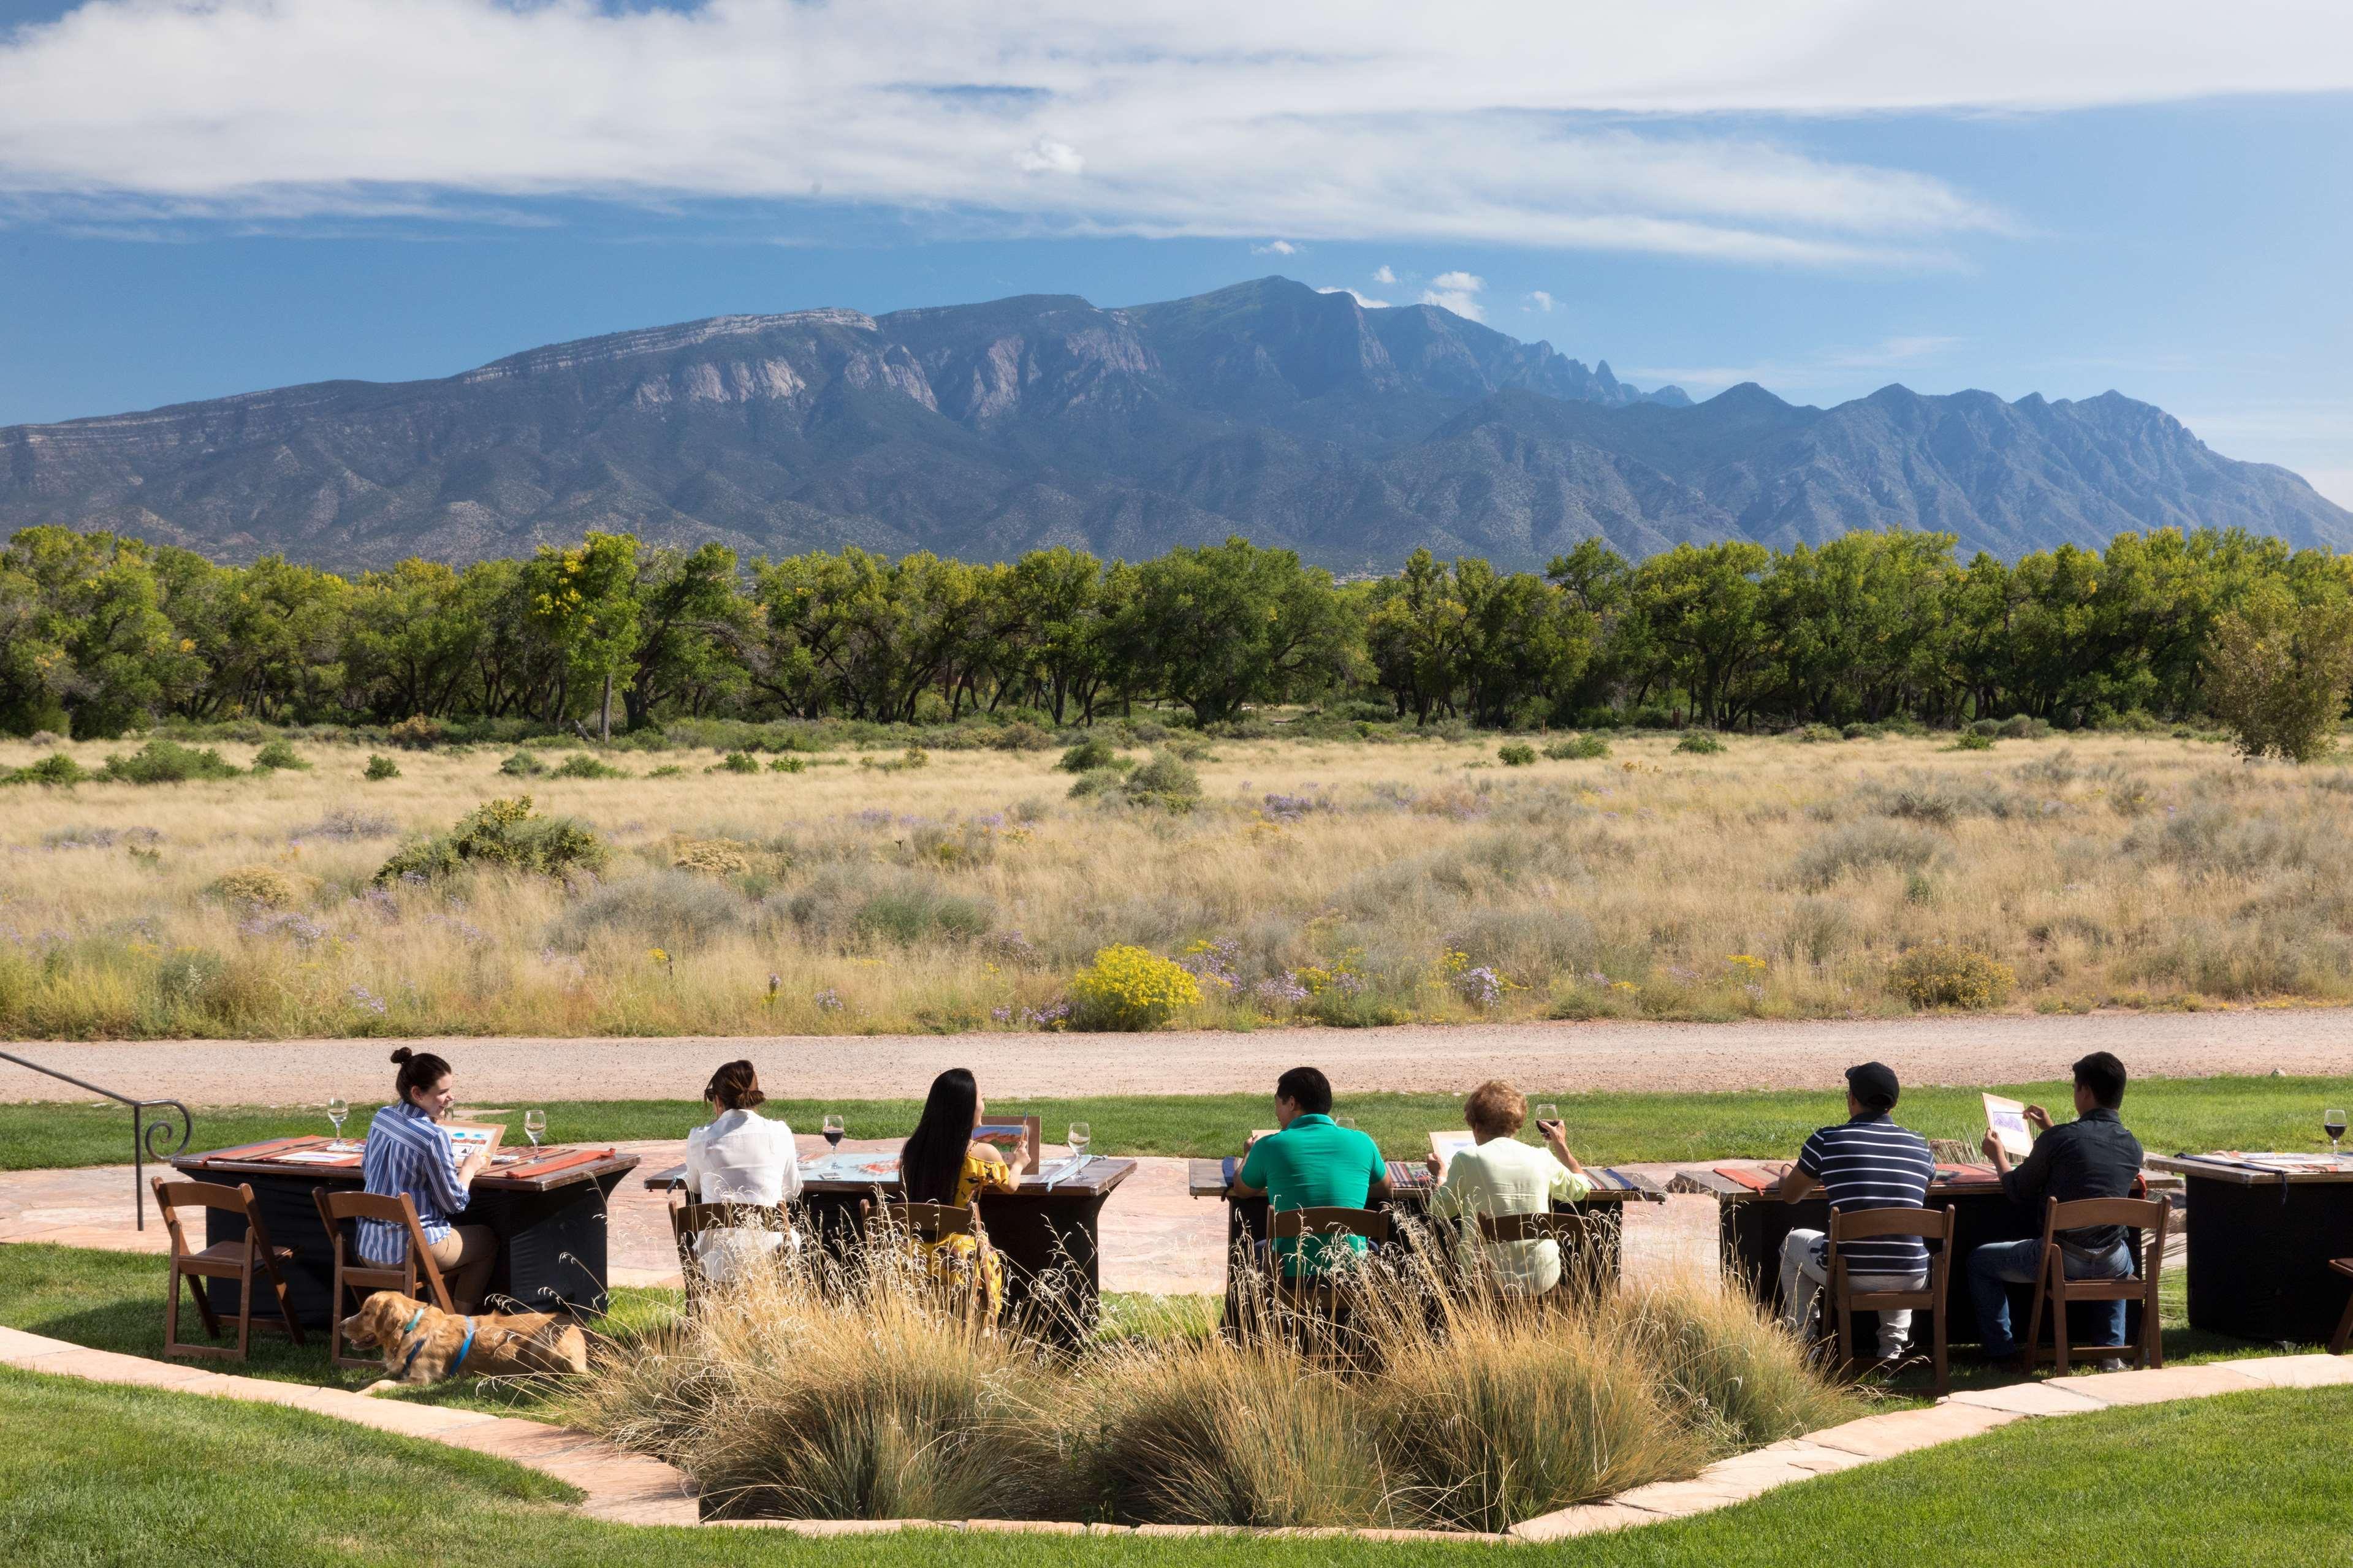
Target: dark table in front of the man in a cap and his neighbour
column 1752, row 1226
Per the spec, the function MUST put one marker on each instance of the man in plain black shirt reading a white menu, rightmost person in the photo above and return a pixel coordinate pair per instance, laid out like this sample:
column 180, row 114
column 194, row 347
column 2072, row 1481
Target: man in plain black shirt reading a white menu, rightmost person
column 2091, row 1158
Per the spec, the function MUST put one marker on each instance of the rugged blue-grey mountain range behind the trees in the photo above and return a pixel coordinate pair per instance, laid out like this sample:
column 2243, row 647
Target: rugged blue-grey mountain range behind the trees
column 1272, row 410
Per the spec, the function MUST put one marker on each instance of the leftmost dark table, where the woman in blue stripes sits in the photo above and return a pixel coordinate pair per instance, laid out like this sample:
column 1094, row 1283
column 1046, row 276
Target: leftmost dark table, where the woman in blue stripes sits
column 547, row 1207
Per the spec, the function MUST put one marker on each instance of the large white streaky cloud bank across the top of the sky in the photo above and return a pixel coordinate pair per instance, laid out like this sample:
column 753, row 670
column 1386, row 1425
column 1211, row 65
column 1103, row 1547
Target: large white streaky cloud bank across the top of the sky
column 1053, row 116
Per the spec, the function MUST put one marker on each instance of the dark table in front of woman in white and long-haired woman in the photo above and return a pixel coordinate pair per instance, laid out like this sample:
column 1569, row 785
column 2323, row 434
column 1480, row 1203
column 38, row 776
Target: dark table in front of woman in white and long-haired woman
column 1048, row 1224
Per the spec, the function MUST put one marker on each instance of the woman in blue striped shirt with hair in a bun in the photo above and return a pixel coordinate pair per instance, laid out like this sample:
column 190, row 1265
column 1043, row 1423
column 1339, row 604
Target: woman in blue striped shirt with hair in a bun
column 411, row 1153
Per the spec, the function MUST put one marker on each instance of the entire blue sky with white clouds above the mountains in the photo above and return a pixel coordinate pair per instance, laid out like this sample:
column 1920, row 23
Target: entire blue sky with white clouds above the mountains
column 1815, row 194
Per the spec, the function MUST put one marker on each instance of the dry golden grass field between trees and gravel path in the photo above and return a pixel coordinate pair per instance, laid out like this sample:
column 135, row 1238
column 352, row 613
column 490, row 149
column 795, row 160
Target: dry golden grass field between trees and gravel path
column 1314, row 880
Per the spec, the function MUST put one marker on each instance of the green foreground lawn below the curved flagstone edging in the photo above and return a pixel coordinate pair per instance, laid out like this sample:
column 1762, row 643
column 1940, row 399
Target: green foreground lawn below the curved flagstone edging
column 105, row 1475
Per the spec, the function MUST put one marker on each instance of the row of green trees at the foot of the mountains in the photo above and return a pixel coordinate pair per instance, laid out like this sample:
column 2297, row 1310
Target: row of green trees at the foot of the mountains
column 102, row 634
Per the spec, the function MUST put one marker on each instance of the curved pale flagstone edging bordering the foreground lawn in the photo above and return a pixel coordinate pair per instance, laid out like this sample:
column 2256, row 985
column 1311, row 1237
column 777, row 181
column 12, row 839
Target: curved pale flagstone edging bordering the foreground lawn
column 627, row 1487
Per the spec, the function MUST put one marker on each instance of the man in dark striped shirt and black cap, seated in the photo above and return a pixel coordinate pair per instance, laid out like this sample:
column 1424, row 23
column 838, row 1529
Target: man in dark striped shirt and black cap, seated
column 1865, row 1162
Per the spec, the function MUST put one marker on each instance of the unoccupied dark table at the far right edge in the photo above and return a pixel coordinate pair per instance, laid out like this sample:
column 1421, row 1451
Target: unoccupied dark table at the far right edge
column 2262, row 1235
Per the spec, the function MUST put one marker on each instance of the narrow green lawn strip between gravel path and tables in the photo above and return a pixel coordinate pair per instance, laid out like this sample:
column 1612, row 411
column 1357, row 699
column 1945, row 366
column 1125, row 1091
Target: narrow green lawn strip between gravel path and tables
column 2171, row 1115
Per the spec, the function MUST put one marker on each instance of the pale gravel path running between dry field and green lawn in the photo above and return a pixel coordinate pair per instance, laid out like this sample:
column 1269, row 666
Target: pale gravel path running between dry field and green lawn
column 1566, row 1057
